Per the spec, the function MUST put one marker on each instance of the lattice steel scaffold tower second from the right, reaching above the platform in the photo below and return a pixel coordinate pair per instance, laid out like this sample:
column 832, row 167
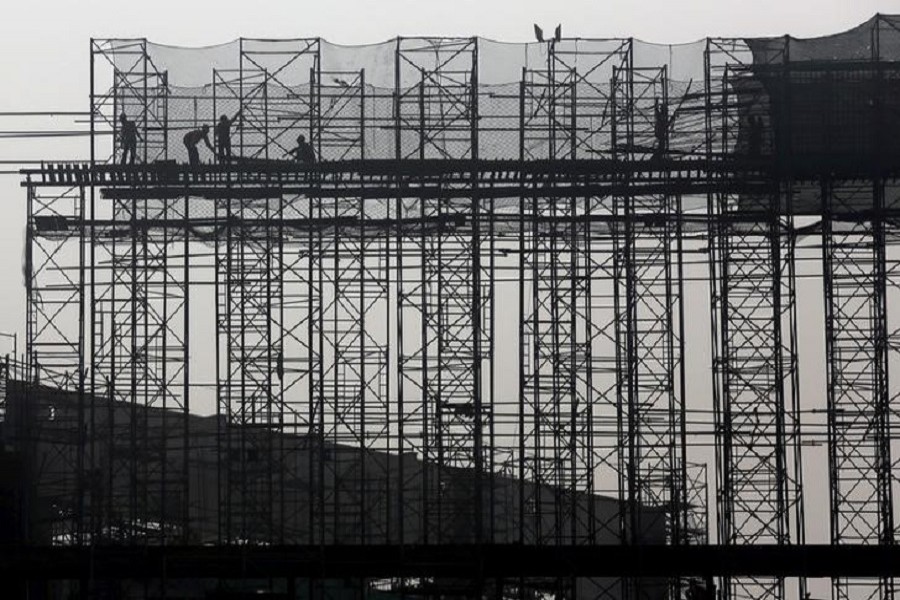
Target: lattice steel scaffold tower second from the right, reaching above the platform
column 756, row 387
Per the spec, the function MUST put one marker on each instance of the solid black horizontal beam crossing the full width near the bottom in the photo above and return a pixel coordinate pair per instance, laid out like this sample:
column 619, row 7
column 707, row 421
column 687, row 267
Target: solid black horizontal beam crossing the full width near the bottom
column 458, row 561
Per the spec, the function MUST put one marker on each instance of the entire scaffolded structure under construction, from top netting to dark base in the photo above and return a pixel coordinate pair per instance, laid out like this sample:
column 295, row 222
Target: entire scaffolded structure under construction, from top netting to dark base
column 515, row 317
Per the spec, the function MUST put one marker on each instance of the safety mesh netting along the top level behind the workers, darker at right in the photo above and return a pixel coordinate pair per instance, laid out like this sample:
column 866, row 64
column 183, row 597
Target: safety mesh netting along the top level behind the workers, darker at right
column 789, row 100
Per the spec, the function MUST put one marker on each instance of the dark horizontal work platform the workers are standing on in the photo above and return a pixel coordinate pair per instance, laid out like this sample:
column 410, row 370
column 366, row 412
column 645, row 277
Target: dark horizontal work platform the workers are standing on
column 465, row 171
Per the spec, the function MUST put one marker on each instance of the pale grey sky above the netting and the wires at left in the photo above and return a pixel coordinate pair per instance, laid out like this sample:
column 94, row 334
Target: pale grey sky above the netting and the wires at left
column 44, row 44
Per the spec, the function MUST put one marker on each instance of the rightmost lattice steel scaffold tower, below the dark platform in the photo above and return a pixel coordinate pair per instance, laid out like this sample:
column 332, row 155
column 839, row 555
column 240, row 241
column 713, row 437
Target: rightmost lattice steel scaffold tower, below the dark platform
column 855, row 280
